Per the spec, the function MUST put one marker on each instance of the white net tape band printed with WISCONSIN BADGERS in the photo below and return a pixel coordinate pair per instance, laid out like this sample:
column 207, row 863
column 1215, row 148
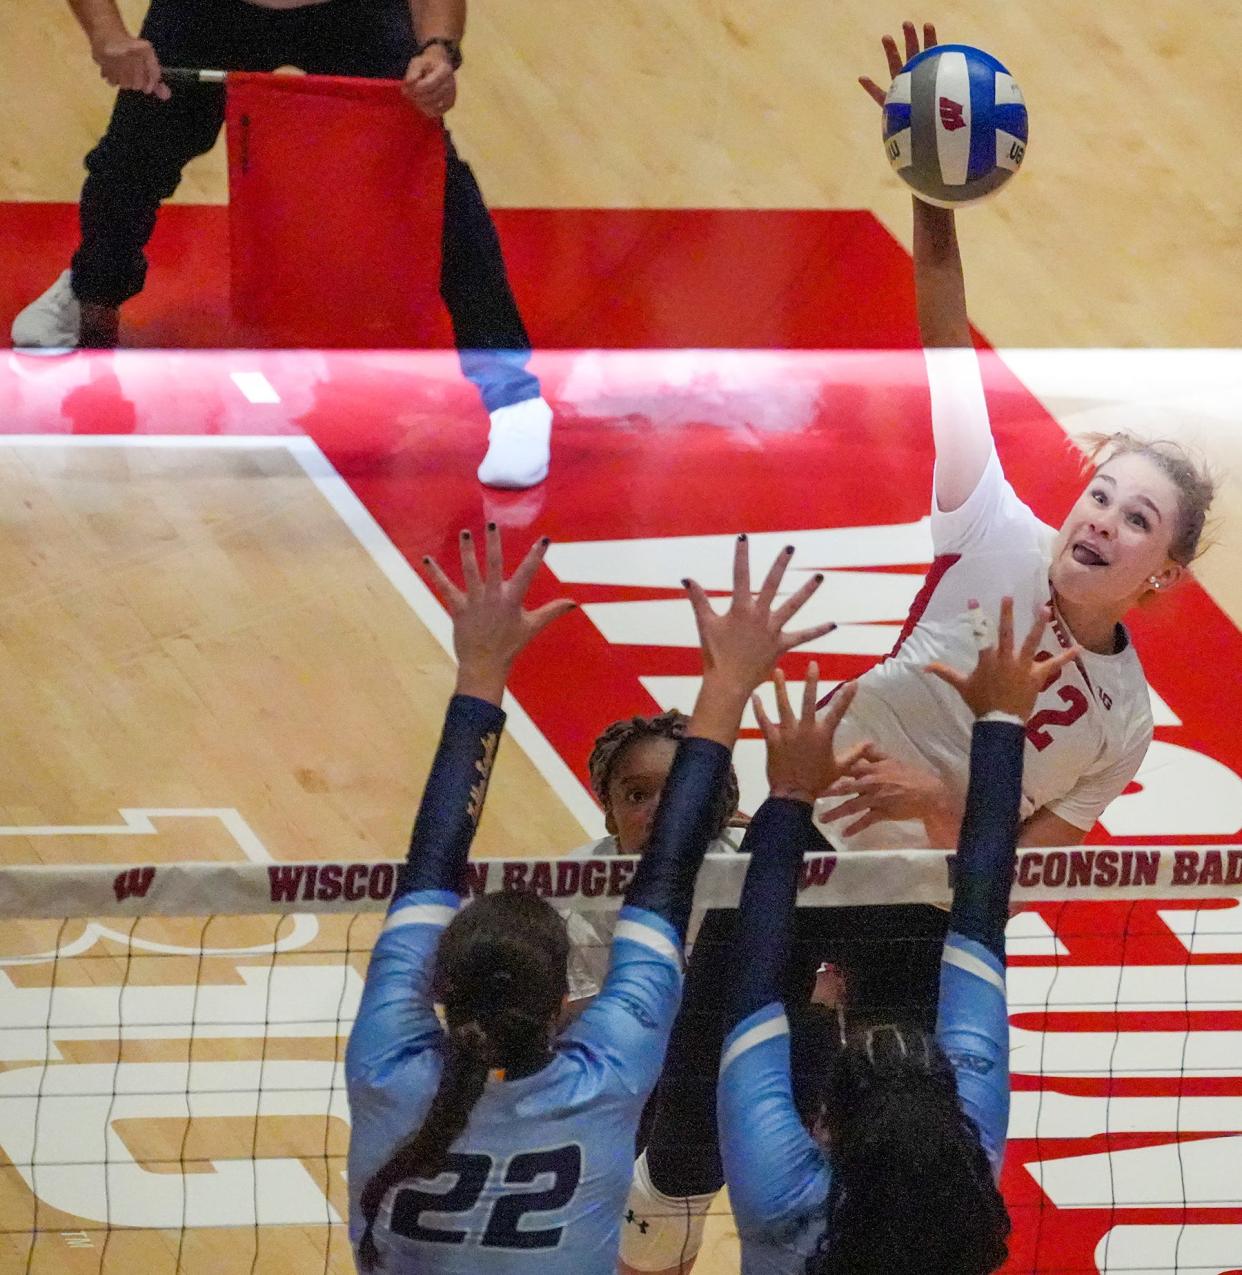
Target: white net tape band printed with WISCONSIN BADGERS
column 599, row 885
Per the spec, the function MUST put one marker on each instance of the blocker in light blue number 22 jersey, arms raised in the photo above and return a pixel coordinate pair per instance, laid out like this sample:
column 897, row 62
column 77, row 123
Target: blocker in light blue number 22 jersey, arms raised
column 497, row 1143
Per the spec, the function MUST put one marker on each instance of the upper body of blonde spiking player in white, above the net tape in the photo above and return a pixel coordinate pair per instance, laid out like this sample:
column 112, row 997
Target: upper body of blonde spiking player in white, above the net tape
column 1133, row 532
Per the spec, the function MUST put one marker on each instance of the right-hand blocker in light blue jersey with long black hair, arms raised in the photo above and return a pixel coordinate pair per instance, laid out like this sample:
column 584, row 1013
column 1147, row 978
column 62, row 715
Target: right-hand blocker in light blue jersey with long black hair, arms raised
column 887, row 1163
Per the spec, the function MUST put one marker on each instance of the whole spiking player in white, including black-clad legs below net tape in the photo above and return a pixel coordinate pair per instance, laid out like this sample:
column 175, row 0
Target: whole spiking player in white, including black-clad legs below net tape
column 1132, row 534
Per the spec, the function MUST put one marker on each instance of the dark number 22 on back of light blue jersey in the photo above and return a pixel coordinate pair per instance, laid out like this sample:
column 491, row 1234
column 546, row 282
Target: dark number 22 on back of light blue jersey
column 564, row 1166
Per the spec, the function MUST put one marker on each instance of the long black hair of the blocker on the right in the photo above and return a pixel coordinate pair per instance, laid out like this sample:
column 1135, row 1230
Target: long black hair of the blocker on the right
column 912, row 1188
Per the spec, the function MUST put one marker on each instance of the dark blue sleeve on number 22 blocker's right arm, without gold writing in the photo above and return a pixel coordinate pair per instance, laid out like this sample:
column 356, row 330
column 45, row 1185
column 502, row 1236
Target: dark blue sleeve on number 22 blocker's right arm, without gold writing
column 665, row 879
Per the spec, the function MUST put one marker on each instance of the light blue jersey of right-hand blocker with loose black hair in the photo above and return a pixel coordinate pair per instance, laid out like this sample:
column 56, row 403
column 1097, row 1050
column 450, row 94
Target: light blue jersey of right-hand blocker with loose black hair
column 778, row 1176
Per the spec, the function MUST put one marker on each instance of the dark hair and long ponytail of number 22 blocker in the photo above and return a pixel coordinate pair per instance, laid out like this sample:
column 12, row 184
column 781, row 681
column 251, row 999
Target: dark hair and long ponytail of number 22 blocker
column 502, row 977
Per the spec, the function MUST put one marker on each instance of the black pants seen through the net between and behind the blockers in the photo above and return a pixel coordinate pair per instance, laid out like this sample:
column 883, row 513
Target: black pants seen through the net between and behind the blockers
column 891, row 962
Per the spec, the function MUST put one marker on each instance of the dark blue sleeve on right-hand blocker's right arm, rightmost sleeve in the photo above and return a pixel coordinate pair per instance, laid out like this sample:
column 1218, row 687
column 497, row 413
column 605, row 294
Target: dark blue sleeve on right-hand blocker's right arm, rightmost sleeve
column 988, row 847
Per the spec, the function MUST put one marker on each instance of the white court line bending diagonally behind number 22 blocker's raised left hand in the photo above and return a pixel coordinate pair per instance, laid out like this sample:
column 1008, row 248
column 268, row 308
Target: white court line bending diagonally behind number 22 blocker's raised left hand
column 390, row 560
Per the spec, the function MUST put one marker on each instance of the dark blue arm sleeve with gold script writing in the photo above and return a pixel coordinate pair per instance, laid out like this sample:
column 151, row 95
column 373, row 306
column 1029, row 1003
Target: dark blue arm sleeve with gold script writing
column 453, row 799
